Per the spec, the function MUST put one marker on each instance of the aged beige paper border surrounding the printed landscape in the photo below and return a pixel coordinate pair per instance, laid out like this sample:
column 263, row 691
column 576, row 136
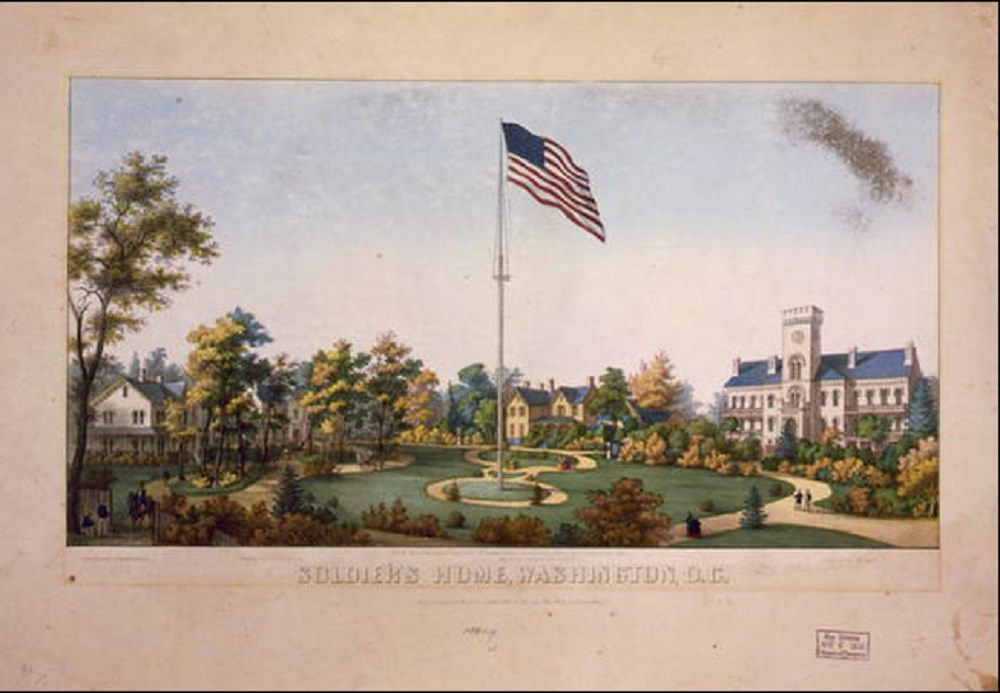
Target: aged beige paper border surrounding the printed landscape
column 931, row 616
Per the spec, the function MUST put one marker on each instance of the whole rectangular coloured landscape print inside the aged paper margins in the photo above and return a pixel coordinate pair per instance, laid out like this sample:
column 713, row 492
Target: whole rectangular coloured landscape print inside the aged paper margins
column 522, row 314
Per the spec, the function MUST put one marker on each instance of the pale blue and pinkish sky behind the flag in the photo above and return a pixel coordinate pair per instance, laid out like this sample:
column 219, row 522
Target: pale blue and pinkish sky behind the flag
column 344, row 209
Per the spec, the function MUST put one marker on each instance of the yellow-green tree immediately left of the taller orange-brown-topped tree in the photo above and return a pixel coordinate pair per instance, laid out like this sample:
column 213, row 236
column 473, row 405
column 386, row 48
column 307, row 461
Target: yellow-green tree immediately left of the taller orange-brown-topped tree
column 337, row 390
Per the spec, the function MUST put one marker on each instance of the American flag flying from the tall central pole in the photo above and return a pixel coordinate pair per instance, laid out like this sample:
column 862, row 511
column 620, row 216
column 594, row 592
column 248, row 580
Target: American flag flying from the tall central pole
column 546, row 170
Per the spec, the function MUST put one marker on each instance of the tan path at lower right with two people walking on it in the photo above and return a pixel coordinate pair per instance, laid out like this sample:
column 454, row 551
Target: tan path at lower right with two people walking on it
column 907, row 533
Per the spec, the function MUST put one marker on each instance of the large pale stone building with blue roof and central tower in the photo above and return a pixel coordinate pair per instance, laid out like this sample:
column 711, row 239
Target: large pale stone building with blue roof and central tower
column 810, row 391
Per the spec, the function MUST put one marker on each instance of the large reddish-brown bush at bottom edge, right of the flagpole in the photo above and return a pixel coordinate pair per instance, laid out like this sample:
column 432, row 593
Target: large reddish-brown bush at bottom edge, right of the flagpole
column 625, row 516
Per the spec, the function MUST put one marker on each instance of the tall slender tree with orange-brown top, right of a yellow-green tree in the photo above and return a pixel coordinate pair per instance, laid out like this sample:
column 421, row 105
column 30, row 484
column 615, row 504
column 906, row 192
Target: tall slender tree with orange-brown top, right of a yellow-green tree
column 390, row 371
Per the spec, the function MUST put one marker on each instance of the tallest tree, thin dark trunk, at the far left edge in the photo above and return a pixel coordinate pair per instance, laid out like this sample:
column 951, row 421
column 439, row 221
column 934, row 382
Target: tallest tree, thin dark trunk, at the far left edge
column 129, row 249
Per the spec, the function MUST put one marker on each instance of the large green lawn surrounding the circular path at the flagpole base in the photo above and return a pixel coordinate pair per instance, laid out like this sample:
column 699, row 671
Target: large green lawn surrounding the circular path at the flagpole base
column 683, row 489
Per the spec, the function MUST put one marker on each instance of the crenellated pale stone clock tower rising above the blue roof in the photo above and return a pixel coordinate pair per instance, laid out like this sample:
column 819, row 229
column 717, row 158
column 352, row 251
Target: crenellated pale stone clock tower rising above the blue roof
column 801, row 346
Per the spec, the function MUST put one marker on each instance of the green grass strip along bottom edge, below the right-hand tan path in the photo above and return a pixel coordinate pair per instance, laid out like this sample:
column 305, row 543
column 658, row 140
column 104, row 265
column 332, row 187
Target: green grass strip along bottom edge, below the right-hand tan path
column 779, row 536
